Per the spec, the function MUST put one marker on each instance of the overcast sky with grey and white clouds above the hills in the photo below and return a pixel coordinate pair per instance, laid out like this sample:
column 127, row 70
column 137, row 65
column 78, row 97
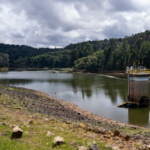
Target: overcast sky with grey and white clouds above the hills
column 49, row 23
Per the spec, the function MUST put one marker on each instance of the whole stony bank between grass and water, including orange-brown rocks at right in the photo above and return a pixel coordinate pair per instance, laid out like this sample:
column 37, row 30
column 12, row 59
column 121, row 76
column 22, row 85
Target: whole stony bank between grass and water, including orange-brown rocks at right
column 115, row 135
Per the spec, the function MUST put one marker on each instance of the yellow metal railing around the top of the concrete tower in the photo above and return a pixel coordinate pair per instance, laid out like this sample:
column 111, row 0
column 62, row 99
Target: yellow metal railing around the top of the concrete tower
column 138, row 71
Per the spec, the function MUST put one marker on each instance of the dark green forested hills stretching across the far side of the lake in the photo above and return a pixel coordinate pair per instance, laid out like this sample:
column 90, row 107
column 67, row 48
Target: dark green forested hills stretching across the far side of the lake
column 107, row 54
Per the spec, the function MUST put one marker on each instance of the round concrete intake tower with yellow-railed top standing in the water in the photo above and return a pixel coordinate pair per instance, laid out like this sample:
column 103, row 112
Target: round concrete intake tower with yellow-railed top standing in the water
column 138, row 86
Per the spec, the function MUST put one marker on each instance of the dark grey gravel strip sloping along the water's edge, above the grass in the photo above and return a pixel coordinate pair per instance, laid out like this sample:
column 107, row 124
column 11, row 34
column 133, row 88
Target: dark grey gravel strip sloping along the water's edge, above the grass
column 40, row 102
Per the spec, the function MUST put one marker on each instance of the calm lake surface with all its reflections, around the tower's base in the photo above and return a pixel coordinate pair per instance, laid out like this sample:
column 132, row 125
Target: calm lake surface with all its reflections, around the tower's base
column 95, row 93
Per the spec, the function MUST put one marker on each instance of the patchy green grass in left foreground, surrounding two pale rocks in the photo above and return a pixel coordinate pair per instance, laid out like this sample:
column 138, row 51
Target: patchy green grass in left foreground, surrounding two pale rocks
column 34, row 135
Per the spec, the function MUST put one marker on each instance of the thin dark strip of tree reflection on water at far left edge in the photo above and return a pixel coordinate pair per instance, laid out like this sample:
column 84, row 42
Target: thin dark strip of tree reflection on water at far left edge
column 15, row 81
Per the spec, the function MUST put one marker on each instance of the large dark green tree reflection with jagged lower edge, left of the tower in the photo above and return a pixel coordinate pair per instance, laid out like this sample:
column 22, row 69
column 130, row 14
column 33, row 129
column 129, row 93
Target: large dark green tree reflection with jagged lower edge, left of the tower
column 112, row 87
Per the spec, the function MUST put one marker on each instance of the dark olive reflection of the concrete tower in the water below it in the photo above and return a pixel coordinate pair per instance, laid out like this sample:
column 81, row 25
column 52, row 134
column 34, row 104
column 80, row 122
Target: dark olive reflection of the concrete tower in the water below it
column 139, row 116
